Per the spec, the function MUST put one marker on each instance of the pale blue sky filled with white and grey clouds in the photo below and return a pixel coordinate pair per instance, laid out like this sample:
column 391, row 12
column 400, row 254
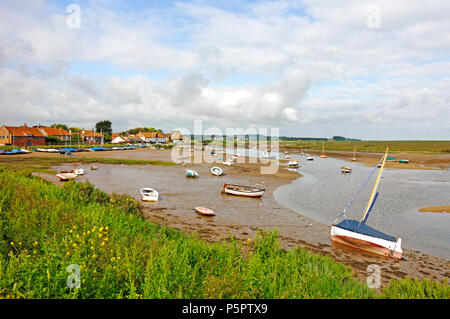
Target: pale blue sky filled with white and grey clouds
column 369, row 70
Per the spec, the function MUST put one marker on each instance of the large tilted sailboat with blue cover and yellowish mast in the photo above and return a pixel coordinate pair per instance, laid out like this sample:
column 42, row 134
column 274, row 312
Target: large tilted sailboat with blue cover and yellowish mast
column 358, row 234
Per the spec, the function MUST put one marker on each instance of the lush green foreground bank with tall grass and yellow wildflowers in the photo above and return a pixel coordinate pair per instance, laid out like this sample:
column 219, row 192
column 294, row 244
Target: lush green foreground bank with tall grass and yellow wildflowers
column 46, row 228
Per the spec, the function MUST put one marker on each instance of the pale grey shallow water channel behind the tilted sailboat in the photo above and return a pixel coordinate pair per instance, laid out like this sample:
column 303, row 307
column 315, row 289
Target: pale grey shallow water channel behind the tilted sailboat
column 323, row 192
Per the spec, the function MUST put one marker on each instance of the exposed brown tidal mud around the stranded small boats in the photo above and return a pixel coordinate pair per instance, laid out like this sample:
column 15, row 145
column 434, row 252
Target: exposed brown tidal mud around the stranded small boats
column 242, row 217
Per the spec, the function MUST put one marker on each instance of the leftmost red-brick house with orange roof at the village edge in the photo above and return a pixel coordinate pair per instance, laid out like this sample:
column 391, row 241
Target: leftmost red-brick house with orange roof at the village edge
column 21, row 136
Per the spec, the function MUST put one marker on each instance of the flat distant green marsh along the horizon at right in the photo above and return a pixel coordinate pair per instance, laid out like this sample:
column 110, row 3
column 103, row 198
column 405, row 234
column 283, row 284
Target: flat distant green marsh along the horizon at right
column 372, row 146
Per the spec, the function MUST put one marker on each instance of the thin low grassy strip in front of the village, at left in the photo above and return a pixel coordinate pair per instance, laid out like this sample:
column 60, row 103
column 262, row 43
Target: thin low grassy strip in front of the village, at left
column 42, row 164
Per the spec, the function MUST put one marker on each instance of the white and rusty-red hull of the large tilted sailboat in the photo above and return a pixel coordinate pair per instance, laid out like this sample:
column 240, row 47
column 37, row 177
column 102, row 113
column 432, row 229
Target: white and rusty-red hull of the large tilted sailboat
column 367, row 243
